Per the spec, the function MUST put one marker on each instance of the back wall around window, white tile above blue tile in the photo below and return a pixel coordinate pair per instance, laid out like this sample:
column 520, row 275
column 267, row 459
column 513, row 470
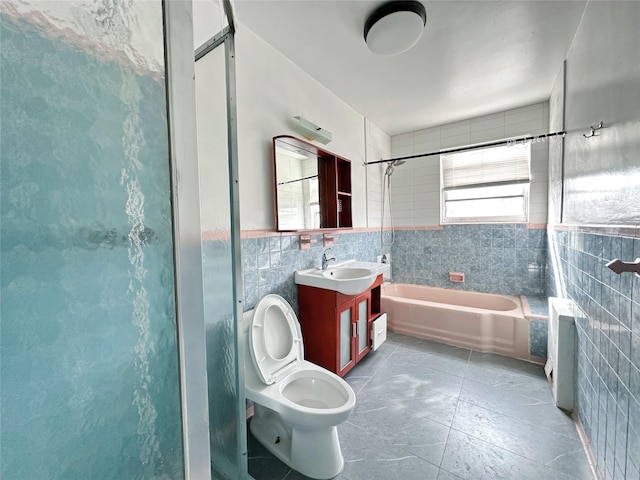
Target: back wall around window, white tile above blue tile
column 496, row 258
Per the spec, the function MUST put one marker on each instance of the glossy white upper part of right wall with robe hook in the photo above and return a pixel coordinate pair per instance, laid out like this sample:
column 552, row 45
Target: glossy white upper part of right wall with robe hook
column 602, row 174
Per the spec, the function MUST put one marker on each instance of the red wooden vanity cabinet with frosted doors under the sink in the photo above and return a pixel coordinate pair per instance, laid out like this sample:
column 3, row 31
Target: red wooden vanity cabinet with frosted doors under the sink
column 336, row 328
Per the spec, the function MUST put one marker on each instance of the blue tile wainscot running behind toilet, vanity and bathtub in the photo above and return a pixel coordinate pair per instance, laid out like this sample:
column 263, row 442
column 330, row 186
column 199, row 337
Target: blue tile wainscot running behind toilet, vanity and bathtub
column 506, row 259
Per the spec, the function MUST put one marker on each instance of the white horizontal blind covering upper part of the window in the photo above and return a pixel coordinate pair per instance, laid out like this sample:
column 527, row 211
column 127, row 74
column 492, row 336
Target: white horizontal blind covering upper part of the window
column 486, row 166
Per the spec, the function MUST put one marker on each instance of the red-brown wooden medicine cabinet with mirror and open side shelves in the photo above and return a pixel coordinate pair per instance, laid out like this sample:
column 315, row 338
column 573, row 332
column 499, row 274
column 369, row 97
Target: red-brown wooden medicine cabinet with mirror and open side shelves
column 312, row 186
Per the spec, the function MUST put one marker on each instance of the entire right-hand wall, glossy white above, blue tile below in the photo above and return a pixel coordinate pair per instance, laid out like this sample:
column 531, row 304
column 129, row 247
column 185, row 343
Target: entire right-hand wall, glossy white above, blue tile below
column 600, row 218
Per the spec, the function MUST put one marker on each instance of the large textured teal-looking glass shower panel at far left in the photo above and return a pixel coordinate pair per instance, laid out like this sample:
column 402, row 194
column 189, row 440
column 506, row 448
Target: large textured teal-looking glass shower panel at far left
column 89, row 363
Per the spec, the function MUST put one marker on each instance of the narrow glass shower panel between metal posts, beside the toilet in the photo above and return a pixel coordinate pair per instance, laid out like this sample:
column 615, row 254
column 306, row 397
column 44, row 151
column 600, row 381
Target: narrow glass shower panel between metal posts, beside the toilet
column 226, row 402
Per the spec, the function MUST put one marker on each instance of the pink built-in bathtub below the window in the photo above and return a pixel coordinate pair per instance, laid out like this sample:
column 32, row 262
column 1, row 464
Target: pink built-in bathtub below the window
column 478, row 321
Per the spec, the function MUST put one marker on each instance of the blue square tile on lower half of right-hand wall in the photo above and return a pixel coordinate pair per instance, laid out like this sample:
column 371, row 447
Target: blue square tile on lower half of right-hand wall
column 608, row 332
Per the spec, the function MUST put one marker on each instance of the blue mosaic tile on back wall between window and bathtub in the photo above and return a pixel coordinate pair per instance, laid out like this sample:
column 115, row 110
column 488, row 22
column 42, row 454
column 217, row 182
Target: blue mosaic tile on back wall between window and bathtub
column 507, row 258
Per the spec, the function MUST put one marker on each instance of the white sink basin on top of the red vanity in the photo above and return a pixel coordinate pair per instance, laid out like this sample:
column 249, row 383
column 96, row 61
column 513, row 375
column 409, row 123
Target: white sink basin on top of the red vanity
column 349, row 277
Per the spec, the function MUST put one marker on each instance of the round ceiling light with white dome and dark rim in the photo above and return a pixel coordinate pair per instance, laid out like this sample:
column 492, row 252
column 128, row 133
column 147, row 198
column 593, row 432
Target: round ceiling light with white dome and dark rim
column 394, row 27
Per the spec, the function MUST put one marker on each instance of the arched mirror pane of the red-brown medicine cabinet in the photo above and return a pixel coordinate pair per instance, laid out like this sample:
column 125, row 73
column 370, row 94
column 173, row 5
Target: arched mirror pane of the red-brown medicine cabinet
column 297, row 194
